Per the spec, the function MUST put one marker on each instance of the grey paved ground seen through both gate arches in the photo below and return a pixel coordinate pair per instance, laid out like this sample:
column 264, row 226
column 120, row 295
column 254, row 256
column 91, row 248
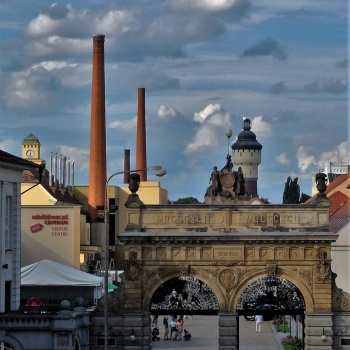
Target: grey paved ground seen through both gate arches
column 205, row 335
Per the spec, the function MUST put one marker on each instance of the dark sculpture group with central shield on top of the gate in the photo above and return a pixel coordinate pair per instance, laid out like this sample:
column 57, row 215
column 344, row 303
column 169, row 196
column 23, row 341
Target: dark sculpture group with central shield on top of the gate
column 226, row 183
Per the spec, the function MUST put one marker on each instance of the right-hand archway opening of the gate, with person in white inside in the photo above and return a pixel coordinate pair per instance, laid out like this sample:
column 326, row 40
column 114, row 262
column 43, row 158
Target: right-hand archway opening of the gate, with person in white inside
column 274, row 305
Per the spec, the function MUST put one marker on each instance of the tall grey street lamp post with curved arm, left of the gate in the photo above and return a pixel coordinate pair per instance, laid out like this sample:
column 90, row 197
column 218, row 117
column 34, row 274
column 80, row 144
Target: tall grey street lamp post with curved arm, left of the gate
column 158, row 171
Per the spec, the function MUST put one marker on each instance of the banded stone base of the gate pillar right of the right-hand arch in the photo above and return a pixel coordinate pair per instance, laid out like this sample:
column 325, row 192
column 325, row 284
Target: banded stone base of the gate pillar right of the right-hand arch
column 319, row 331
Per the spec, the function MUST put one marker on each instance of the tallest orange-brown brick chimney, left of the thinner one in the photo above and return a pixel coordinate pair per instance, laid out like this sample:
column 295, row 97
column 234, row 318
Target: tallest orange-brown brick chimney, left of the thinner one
column 98, row 168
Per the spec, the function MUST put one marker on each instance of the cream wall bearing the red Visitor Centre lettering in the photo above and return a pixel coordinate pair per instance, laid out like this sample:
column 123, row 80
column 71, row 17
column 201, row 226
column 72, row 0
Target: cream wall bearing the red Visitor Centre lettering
column 51, row 233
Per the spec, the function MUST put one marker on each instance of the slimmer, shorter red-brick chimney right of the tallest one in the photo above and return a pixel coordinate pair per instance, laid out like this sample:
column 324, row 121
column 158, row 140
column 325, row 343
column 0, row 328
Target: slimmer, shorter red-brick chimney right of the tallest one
column 141, row 161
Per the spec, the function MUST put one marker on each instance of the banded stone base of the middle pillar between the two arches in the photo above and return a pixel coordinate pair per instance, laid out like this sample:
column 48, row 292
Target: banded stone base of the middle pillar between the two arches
column 227, row 331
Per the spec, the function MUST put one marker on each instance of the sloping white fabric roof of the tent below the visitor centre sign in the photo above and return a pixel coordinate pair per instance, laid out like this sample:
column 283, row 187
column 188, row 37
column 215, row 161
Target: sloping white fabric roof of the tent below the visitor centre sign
column 50, row 273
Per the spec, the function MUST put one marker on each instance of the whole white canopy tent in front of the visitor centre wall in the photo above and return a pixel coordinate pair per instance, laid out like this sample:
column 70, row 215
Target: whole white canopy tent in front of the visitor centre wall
column 47, row 273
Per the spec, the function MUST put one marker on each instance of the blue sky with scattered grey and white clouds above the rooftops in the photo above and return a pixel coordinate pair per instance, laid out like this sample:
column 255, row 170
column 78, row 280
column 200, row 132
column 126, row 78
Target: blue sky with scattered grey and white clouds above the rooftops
column 205, row 65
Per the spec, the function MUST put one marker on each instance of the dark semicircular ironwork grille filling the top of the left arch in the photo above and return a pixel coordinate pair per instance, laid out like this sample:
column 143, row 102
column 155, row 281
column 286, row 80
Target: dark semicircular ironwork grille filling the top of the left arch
column 183, row 296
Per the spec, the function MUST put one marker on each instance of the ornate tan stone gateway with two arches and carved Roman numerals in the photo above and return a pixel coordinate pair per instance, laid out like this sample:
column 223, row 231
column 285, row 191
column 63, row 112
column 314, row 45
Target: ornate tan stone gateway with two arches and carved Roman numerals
column 230, row 253
